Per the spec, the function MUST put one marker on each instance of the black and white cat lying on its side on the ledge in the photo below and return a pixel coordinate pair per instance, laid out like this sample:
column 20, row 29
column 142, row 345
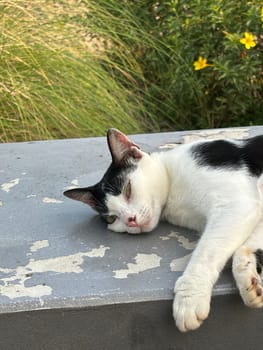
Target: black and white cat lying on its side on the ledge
column 215, row 187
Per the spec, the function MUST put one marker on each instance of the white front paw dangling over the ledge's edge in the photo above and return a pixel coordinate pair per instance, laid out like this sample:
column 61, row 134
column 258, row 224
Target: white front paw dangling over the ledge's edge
column 191, row 304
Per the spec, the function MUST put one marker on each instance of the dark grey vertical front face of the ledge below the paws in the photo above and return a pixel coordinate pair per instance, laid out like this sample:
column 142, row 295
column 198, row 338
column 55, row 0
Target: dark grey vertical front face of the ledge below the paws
column 132, row 326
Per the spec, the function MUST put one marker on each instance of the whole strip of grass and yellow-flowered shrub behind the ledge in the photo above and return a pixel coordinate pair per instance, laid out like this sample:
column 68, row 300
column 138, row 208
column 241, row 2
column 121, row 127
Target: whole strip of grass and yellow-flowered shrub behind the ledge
column 73, row 68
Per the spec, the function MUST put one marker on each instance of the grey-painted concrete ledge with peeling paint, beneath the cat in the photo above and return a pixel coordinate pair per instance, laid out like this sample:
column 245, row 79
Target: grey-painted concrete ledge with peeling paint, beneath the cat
column 68, row 283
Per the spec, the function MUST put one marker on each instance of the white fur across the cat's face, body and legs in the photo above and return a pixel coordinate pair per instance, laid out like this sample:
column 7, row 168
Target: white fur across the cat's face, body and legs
column 225, row 204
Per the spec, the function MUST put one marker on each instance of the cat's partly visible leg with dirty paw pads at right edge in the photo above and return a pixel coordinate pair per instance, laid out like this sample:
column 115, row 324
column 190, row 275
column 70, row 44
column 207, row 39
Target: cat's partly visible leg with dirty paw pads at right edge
column 247, row 267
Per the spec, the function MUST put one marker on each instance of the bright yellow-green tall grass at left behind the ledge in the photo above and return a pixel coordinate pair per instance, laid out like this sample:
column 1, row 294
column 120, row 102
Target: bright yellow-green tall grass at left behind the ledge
column 53, row 78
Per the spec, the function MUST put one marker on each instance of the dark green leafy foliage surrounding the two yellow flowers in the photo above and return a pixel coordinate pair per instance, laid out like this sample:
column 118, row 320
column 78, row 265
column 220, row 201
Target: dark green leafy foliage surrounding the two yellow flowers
column 229, row 92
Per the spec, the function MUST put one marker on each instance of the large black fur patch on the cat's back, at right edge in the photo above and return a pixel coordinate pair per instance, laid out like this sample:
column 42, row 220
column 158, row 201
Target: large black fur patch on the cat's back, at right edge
column 223, row 153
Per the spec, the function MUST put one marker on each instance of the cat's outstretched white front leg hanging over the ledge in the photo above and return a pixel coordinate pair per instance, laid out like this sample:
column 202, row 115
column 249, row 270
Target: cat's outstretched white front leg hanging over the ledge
column 226, row 230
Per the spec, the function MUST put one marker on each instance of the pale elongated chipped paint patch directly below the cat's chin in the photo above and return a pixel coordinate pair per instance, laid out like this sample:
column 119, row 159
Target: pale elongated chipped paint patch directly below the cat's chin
column 142, row 263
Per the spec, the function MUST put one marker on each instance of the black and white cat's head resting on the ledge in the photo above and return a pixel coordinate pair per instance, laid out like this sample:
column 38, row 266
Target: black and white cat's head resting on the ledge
column 129, row 197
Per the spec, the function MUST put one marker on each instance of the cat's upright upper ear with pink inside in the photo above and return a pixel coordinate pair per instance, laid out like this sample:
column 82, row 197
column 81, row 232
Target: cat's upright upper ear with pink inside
column 121, row 147
